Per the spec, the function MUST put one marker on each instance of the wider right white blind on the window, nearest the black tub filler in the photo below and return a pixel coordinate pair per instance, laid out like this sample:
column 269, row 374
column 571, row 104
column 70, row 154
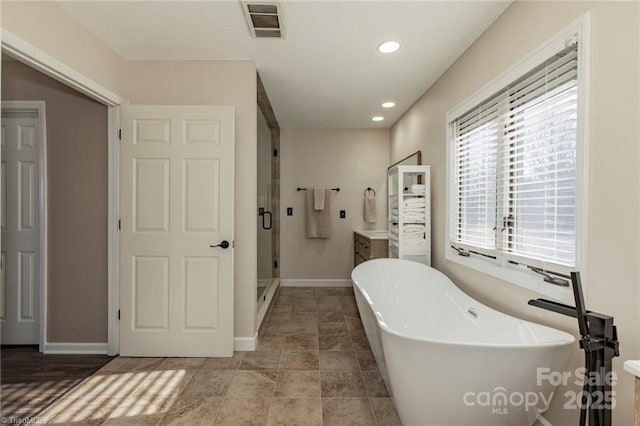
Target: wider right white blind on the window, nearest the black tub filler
column 540, row 151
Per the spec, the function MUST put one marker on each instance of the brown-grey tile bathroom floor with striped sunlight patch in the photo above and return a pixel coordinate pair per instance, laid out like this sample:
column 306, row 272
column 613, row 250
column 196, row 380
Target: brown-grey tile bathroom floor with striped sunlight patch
column 312, row 366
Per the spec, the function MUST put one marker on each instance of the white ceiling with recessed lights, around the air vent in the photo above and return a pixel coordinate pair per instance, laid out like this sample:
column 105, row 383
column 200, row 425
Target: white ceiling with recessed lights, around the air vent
column 327, row 72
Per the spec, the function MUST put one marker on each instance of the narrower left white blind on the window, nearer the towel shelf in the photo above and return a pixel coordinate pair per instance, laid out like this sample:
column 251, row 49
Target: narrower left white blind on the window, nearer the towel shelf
column 476, row 160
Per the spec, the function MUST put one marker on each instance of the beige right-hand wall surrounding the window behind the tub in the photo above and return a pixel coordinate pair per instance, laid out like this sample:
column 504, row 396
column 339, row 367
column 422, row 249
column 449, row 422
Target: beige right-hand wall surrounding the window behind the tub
column 612, row 273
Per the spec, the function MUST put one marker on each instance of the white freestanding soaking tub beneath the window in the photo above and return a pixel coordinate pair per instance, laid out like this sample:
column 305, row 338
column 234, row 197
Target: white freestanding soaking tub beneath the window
column 448, row 359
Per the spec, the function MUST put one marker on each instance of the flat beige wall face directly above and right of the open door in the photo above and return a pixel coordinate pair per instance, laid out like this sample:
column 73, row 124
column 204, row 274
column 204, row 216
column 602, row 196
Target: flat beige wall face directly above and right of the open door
column 217, row 83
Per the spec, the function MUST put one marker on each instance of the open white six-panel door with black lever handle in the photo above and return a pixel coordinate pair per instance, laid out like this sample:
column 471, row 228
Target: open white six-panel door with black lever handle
column 176, row 199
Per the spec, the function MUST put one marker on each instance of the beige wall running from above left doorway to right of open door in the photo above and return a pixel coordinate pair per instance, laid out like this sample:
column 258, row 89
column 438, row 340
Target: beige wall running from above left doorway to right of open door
column 47, row 27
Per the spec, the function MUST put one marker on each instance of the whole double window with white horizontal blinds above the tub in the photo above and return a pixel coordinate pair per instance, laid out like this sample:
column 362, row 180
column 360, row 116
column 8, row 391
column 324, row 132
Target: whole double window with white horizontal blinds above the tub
column 514, row 170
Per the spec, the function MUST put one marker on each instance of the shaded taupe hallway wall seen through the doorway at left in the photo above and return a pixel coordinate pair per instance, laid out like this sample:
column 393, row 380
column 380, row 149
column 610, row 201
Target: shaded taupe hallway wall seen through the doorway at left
column 77, row 204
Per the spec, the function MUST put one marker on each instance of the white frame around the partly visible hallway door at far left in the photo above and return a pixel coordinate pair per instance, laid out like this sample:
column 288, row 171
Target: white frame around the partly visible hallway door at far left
column 39, row 108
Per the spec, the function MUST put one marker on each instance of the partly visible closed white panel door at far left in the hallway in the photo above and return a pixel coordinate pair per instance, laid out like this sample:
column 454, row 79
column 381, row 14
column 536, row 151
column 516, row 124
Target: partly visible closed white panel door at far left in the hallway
column 19, row 257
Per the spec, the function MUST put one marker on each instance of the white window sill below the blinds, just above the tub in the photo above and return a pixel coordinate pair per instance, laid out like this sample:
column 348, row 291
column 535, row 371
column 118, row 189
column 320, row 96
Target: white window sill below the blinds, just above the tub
column 524, row 279
